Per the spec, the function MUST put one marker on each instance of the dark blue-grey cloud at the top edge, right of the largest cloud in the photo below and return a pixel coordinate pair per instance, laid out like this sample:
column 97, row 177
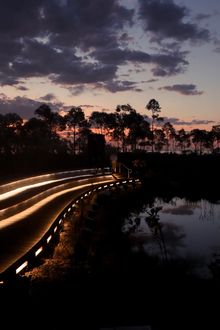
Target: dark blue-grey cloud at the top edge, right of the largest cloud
column 164, row 19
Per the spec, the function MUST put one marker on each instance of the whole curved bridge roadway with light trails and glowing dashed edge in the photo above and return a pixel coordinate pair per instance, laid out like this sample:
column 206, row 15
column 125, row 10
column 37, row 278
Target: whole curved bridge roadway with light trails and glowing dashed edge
column 32, row 212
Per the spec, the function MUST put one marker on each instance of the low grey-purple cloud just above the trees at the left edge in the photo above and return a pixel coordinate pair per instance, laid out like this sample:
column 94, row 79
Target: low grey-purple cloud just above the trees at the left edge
column 23, row 106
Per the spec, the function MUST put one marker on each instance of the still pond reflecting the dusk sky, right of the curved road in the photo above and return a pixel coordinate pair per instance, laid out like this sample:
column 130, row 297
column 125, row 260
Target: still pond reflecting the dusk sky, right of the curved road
column 178, row 231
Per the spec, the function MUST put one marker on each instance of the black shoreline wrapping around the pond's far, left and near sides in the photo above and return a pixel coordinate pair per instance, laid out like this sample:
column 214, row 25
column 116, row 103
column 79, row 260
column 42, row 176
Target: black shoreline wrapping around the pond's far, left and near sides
column 112, row 288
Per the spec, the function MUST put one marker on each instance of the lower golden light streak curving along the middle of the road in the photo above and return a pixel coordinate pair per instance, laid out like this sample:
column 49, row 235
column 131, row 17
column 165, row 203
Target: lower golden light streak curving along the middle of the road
column 21, row 215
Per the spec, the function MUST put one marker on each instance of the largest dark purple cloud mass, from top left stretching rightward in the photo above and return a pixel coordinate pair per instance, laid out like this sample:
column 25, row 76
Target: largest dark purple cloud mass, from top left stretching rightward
column 75, row 43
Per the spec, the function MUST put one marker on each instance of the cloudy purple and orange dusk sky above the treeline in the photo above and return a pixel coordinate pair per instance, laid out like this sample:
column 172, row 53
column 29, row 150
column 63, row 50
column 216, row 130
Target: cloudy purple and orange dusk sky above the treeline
column 100, row 53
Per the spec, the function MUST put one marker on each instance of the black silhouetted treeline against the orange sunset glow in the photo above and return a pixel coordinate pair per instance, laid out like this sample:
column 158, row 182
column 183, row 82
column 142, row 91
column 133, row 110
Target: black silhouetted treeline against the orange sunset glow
column 50, row 140
